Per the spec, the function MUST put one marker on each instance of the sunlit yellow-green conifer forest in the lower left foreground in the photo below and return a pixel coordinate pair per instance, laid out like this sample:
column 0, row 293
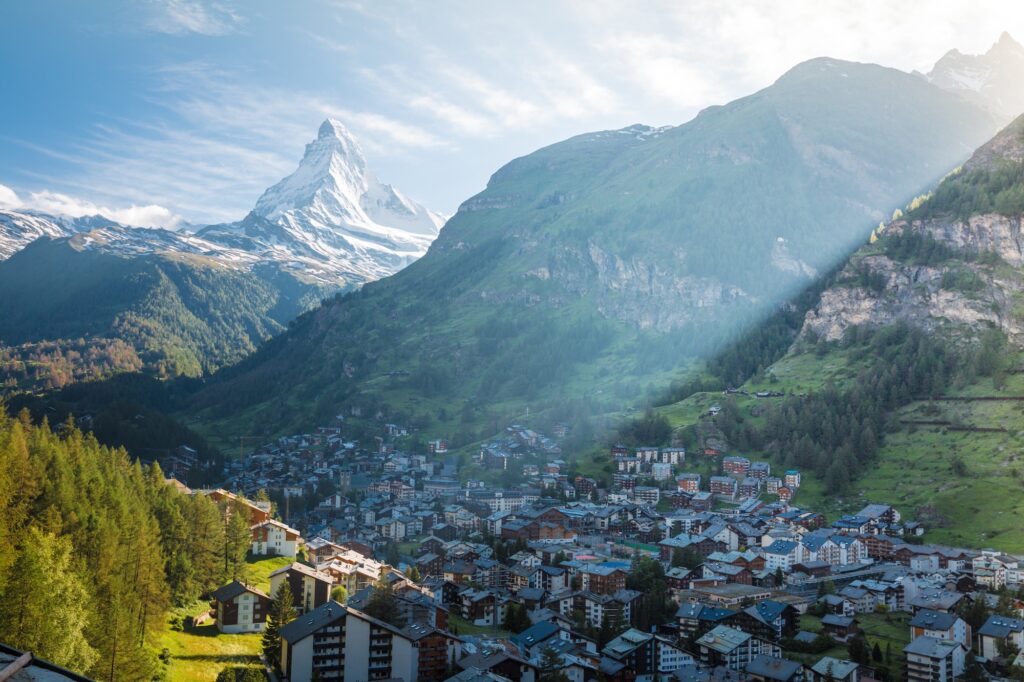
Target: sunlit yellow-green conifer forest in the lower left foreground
column 97, row 548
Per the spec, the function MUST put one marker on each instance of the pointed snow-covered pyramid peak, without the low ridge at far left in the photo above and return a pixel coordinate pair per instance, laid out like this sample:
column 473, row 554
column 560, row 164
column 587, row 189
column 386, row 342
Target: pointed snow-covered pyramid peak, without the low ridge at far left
column 332, row 218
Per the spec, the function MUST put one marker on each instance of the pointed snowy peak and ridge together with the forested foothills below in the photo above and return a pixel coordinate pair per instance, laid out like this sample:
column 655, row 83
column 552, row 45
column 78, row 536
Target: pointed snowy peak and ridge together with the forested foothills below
column 105, row 299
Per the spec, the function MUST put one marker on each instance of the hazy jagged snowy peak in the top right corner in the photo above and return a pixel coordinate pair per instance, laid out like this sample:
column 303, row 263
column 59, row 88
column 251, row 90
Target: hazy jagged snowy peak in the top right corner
column 995, row 79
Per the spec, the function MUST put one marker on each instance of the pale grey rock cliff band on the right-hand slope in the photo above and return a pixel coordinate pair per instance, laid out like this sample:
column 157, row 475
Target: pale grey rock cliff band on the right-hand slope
column 961, row 296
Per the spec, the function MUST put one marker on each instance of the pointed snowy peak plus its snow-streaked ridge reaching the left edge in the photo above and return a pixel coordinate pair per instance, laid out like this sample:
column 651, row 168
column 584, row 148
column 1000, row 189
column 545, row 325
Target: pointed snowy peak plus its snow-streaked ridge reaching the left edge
column 331, row 223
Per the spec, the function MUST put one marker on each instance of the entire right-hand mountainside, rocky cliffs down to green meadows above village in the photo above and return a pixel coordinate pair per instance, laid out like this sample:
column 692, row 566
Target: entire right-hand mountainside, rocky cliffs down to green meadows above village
column 908, row 370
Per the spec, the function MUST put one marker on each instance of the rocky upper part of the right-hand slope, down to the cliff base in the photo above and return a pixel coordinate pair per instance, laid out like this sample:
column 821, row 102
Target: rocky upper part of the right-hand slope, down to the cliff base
column 953, row 266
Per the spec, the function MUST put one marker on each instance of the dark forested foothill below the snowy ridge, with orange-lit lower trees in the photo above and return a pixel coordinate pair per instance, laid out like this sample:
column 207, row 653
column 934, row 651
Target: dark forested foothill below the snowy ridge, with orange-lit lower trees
column 71, row 313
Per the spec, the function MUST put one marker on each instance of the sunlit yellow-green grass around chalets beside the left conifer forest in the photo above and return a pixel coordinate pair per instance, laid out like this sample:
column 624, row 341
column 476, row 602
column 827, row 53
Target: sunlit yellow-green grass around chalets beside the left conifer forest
column 199, row 654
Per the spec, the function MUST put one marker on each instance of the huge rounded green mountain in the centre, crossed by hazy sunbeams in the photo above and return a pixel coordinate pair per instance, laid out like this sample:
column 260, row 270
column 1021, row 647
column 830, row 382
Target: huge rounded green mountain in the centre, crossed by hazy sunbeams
column 593, row 267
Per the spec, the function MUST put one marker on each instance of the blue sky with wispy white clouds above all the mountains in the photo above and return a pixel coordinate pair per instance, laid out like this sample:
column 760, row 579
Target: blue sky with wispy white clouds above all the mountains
column 158, row 111
